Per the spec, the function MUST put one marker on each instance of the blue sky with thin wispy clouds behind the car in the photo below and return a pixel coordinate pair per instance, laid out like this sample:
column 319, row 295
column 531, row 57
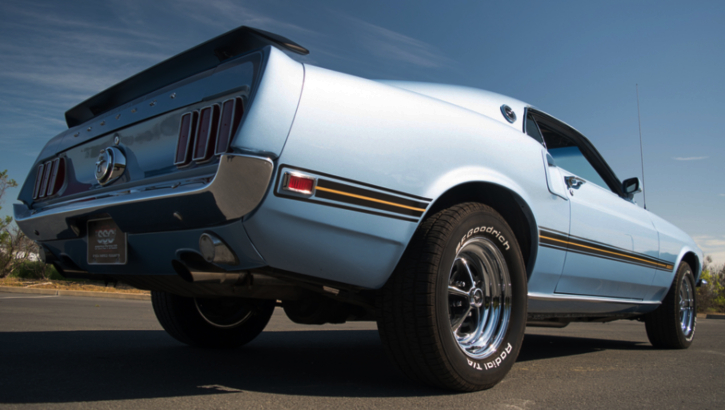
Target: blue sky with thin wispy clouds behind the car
column 578, row 61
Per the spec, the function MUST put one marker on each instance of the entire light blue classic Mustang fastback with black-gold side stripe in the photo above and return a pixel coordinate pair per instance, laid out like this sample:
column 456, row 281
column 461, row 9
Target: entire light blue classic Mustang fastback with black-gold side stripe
column 232, row 178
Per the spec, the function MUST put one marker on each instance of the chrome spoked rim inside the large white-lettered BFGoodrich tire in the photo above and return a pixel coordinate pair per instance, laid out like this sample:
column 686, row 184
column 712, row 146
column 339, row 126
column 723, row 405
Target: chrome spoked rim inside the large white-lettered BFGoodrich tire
column 479, row 298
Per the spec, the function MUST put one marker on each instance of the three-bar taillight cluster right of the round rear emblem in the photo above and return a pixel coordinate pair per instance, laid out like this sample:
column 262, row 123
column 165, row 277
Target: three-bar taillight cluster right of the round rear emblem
column 208, row 132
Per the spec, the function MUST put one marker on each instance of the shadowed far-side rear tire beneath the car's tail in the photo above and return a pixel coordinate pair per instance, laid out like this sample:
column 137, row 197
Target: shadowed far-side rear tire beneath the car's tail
column 215, row 323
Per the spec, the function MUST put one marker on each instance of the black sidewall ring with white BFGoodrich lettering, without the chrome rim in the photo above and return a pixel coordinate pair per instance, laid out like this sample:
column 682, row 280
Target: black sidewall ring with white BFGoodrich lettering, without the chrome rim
column 491, row 369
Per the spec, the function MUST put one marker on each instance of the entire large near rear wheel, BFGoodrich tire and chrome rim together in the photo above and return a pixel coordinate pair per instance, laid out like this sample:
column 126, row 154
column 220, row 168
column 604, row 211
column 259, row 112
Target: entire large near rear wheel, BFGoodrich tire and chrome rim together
column 453, row 313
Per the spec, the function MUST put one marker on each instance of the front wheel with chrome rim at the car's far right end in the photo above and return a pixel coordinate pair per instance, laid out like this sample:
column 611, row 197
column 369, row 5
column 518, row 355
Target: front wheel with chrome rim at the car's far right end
column 672, row 325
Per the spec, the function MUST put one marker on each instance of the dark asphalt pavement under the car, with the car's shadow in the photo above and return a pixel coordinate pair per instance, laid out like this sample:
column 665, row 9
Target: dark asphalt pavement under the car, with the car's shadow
column 75, row 352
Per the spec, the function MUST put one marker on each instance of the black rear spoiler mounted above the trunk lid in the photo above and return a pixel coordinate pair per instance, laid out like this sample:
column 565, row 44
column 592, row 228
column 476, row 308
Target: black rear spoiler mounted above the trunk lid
column 195, row 60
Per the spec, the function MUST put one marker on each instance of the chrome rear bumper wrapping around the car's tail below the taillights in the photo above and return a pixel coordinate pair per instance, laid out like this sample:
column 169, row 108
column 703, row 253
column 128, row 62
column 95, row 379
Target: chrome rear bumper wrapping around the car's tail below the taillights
column 237, row 188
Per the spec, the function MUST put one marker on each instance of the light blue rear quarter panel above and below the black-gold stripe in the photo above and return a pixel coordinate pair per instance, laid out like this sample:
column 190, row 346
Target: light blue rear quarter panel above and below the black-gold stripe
column 371, row 134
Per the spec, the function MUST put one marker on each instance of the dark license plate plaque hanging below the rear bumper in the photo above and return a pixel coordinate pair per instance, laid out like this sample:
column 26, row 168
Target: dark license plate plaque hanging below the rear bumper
column 107, row 244
